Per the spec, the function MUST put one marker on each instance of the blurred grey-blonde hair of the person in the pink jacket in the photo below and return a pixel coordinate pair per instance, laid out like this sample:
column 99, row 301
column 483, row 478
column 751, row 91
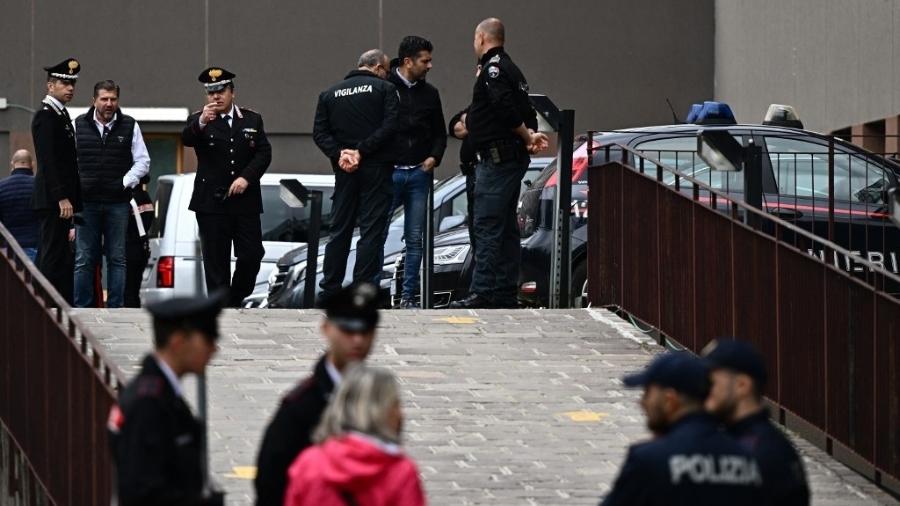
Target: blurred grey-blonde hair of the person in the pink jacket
column 362, row 403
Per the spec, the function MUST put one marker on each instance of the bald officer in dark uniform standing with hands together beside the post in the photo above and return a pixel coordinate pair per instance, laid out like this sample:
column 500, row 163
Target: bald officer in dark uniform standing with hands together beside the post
column 501, row 123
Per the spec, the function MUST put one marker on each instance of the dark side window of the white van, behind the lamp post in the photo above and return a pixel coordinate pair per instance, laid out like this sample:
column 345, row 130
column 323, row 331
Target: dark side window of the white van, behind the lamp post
column 285, row 224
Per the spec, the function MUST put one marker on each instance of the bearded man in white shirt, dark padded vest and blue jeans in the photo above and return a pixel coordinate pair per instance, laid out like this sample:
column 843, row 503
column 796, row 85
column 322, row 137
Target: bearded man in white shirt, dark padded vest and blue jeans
column 112, row 158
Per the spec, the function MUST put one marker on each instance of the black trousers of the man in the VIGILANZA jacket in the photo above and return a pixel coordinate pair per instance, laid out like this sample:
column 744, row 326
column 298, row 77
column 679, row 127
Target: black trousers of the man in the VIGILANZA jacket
column 362, row 197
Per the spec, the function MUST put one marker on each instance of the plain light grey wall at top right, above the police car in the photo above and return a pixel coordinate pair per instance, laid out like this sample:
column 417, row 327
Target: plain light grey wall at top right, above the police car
column 837, row 61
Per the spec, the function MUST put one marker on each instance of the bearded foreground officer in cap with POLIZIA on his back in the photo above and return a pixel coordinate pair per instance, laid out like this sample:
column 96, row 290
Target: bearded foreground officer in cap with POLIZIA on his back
column 690, row 462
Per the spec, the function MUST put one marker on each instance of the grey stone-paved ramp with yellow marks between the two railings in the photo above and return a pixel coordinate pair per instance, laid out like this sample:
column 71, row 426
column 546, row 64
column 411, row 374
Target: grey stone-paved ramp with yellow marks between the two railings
column 503, row 407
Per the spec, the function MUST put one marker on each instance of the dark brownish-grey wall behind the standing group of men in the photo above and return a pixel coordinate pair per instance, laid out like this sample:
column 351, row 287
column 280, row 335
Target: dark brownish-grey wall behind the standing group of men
column 615, row 62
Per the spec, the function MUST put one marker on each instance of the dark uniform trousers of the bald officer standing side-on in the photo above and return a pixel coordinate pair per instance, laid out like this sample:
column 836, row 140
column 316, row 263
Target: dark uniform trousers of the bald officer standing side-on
column 497, row 258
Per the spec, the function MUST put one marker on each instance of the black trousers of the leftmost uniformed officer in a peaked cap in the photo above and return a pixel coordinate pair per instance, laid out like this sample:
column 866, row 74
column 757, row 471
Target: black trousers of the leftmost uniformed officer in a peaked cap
column 56, row 257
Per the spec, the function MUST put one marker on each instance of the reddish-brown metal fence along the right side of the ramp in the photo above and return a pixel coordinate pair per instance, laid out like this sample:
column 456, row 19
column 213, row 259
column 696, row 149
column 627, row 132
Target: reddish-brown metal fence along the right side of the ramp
column 674, row 252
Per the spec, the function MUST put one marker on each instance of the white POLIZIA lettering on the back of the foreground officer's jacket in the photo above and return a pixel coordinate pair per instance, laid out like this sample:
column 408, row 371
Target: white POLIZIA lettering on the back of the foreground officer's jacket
column 727, row 469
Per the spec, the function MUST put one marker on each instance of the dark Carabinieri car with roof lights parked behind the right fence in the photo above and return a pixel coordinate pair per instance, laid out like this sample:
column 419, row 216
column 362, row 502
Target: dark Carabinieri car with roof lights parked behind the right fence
column 795, row 186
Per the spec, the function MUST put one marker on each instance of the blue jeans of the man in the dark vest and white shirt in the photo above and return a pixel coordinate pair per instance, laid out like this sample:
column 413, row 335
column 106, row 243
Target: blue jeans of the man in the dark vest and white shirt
column 103, row 224
